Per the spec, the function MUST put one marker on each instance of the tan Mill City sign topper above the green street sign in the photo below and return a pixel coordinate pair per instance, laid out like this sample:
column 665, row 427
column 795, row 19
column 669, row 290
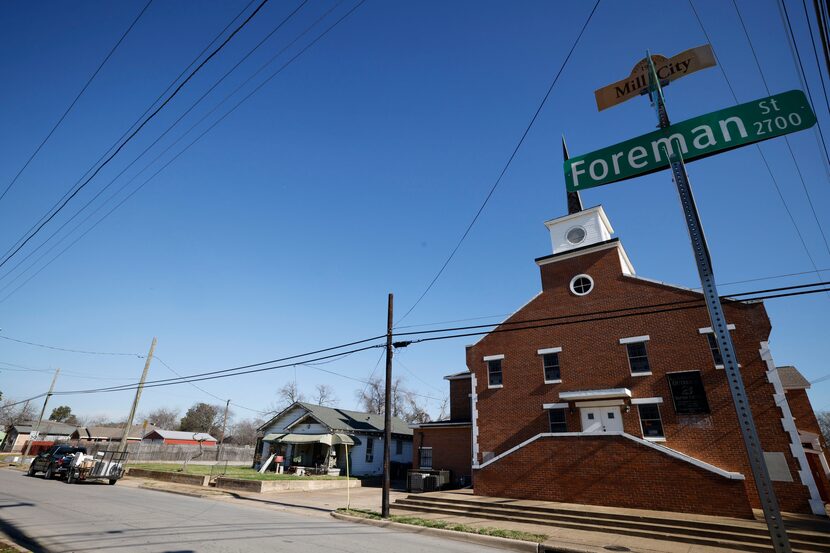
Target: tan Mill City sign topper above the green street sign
column 668, row 69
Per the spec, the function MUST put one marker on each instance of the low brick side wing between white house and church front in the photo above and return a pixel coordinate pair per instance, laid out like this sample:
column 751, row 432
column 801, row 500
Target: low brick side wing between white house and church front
column 451, row 448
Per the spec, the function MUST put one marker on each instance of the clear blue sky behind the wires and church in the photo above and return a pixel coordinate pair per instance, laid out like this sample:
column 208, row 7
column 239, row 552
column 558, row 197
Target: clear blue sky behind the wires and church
column 354, row 172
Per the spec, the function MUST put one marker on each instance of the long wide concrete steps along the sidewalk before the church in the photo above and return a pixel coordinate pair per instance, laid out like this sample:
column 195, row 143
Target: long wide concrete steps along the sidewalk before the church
column 805, row 536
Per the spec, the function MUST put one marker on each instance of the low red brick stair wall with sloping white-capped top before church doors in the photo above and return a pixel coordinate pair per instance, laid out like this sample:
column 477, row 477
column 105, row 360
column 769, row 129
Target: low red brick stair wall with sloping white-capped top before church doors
column 610, row 470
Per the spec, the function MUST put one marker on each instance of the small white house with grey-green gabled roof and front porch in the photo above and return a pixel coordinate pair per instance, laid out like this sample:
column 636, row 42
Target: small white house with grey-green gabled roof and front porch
column 310, row 435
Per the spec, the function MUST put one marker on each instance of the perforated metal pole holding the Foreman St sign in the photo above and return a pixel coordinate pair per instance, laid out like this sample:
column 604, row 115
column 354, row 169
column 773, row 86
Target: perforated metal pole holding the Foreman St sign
column 763, row 484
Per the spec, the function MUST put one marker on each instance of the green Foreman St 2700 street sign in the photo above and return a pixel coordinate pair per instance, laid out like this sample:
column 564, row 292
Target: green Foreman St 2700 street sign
column 696, row 138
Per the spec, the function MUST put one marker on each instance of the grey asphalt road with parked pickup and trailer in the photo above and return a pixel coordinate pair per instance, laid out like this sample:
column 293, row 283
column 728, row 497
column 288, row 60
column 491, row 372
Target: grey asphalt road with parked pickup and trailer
column 52, row 516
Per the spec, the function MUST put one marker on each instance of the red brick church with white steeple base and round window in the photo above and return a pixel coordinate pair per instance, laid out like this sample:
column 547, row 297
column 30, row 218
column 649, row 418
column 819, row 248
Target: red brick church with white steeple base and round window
column 628, row 406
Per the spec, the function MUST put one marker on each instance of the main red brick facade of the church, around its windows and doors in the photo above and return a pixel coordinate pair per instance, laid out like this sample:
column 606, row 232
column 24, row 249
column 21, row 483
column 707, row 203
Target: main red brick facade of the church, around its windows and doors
column 593, row 358
